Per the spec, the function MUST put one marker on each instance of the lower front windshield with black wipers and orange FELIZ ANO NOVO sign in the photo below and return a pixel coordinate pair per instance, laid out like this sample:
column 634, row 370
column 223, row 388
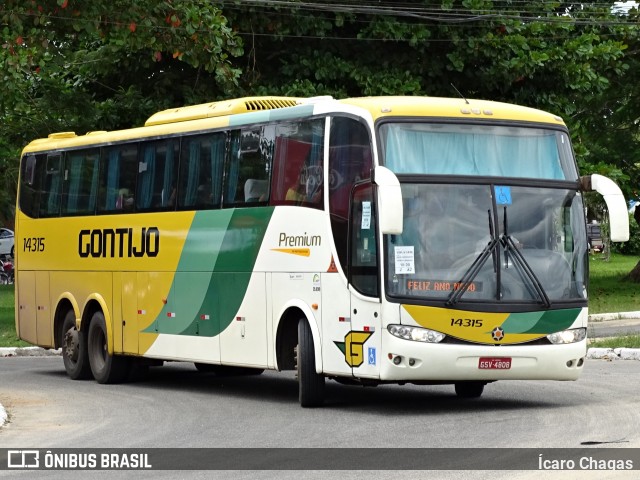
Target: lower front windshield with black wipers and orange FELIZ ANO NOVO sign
column 484, row 242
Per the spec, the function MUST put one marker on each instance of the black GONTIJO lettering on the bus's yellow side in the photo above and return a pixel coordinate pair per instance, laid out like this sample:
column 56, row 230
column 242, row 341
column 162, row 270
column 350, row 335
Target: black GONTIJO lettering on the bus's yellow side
column 119, row 242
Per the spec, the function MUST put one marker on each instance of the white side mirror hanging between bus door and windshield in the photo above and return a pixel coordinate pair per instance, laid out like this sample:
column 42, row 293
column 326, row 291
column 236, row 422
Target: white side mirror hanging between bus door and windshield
column 390, row 213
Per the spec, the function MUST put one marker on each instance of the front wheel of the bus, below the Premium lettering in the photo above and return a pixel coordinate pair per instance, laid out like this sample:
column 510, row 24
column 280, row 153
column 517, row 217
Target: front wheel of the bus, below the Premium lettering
column 310, row 383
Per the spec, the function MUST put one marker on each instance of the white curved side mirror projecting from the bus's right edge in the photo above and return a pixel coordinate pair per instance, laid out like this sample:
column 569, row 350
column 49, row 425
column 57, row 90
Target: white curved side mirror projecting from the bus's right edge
column 616, row 204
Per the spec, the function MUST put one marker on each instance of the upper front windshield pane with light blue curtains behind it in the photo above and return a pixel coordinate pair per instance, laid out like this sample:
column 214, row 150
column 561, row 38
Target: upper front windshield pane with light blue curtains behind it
column 479, row 150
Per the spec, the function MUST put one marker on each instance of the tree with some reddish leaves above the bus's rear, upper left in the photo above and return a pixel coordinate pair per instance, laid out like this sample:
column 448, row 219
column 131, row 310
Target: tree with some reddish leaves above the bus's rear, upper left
column 78, row 65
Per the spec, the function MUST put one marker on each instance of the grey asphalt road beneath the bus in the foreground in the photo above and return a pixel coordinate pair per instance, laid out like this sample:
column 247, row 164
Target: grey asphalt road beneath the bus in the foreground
column 179, row 407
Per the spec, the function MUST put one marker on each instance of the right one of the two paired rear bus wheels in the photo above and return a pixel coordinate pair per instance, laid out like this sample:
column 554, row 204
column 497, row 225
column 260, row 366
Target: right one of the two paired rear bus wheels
column 105, row 368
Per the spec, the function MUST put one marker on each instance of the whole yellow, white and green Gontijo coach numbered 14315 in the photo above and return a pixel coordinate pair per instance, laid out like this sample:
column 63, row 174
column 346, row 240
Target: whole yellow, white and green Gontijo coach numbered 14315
column 366, row 240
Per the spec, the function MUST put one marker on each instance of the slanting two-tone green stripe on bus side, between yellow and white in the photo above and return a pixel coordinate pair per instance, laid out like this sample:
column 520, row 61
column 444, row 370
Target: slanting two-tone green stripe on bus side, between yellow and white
column 214, row 271
